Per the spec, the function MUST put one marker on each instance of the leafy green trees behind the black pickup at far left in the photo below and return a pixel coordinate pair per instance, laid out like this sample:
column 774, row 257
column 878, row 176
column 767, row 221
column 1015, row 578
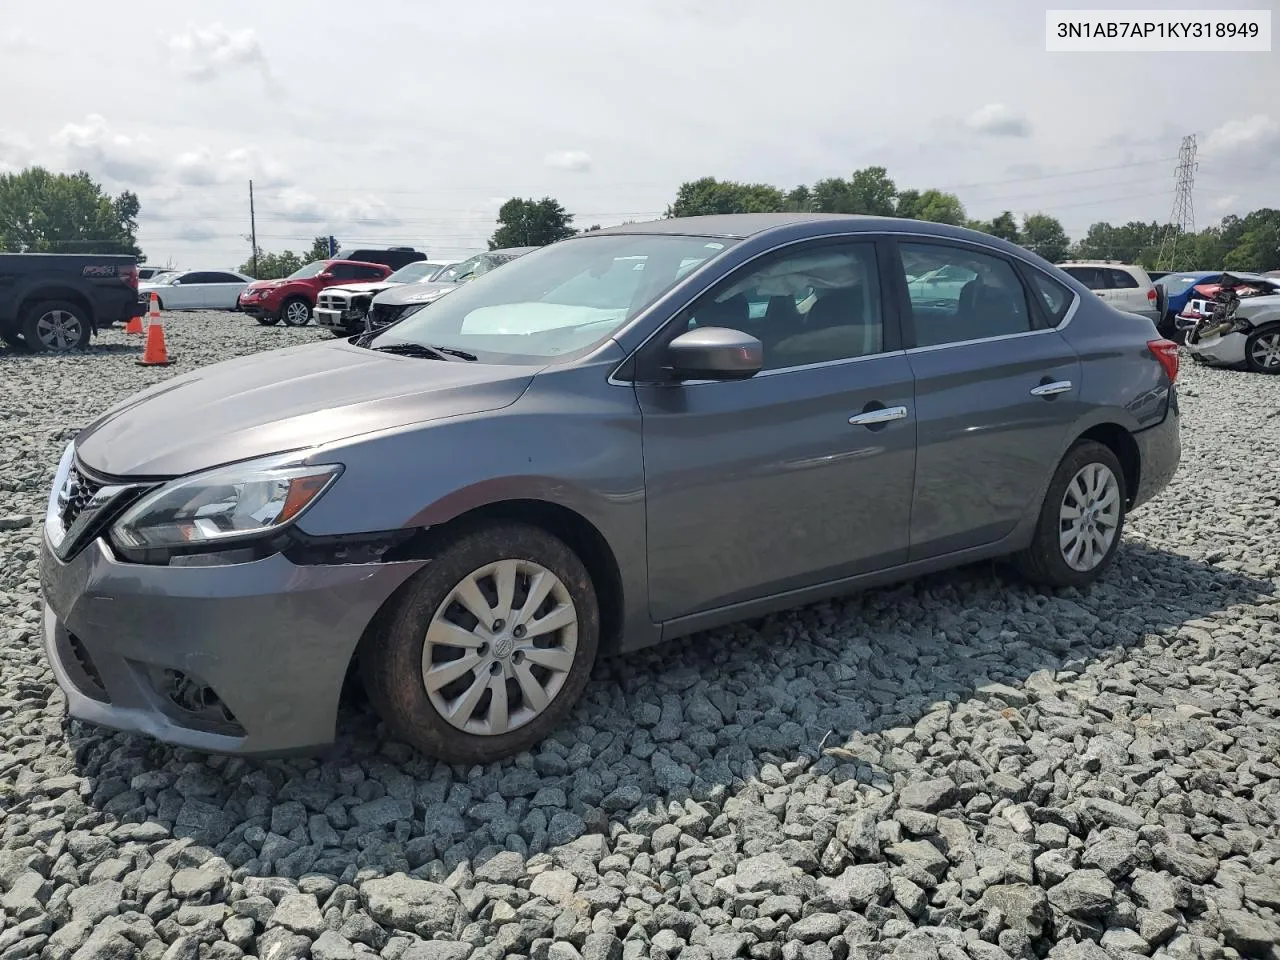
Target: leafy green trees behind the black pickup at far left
column 48, row 213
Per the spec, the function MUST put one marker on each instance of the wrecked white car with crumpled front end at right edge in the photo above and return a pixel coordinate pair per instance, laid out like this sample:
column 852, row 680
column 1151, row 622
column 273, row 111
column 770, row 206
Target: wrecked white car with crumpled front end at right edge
column 1237, row 324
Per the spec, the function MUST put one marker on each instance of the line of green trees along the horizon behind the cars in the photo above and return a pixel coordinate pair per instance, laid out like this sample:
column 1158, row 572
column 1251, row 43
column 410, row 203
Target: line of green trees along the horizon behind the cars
column 60, row 213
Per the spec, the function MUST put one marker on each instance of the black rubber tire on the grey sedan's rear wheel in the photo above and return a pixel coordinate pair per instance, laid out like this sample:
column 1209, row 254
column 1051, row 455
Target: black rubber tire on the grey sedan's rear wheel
column 1045, row 563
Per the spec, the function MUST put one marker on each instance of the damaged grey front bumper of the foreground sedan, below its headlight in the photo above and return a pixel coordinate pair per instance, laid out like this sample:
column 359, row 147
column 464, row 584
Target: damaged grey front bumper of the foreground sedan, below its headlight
column 240, row 659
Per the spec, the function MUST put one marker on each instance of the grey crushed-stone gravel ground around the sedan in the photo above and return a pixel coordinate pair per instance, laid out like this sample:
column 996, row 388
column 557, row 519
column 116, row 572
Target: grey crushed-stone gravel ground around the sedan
column 953, row 769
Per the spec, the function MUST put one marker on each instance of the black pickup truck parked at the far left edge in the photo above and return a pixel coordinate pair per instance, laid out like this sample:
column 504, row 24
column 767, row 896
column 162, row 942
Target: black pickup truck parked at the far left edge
column 57, row 301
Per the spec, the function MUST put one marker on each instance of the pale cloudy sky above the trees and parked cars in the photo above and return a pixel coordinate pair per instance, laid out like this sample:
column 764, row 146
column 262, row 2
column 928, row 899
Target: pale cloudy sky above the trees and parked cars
column 410, row 122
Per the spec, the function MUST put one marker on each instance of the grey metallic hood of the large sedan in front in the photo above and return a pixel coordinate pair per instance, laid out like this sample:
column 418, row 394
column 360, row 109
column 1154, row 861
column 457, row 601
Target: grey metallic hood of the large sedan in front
column 286, row 400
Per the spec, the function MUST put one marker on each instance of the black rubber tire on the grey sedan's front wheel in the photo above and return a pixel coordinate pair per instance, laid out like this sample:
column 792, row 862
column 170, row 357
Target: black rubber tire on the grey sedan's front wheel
column 396, row 657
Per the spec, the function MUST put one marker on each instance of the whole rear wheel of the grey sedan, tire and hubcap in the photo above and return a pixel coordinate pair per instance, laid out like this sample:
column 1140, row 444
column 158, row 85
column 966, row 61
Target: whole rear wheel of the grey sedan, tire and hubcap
column 1081, row 522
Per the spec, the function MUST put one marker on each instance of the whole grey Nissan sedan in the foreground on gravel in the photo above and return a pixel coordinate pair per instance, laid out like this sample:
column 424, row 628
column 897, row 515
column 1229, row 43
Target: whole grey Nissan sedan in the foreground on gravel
column 572, row 458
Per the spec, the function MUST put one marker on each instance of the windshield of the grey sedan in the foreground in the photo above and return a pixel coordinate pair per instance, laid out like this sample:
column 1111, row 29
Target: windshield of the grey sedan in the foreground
column 561, row 300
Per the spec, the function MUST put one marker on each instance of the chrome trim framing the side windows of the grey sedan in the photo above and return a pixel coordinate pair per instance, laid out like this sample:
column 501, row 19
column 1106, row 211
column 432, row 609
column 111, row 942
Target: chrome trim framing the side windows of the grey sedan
column 854, row 237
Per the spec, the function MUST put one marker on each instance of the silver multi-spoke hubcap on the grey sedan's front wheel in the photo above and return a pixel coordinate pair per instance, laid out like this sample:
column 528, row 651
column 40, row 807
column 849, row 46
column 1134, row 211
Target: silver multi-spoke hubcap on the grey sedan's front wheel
column 500, row 648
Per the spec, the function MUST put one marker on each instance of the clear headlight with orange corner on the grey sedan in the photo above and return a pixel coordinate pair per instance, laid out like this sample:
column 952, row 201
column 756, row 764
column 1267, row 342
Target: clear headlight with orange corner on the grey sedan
column 225, row 506
